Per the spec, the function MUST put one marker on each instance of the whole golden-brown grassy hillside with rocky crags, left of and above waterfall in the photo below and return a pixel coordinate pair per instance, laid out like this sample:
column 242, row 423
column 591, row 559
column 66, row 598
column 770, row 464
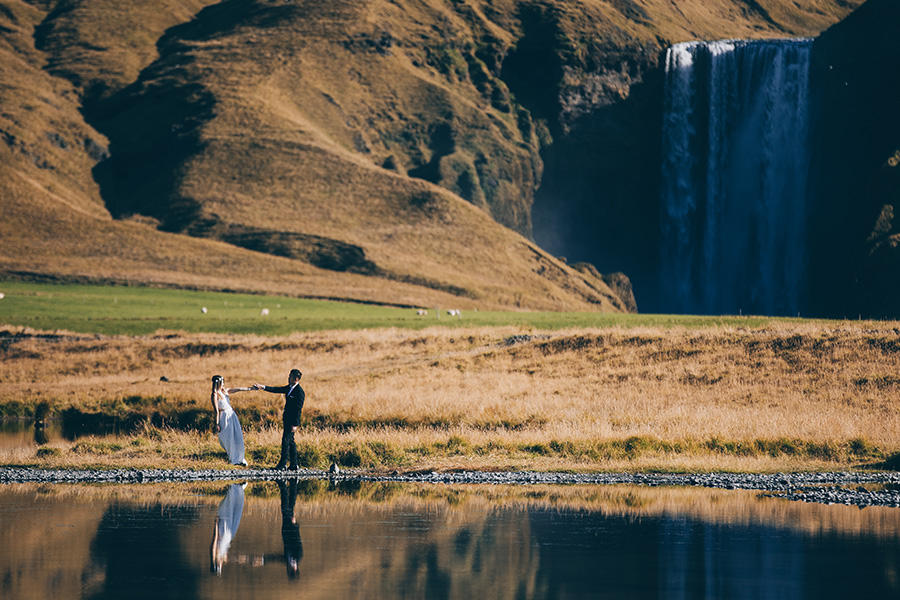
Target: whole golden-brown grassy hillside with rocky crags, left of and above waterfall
column 385, row 151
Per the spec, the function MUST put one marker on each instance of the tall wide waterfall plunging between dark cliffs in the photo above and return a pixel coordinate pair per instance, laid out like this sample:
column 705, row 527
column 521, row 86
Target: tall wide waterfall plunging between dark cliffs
column 735, row 166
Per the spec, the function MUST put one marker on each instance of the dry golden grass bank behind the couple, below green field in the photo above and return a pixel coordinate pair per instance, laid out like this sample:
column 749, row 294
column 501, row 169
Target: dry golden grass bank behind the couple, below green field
column 788, row 396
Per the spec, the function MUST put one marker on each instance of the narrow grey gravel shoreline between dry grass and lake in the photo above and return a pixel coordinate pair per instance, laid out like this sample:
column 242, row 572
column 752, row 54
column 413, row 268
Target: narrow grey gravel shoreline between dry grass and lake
column 823, row 488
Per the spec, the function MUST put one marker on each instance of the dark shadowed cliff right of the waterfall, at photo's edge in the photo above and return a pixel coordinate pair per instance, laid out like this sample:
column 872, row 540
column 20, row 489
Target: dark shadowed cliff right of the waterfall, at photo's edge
column 855, row 253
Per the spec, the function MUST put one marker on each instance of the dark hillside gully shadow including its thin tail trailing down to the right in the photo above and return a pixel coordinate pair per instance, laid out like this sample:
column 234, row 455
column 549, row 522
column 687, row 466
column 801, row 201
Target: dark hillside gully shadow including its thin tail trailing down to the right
column 154, row 129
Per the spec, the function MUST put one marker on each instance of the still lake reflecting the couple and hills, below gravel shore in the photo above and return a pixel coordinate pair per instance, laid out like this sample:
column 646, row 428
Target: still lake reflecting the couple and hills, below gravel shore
column 315, row 539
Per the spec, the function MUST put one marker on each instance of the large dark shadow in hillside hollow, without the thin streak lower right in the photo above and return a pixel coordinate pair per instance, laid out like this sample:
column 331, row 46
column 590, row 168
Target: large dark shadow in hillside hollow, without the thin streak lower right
column 153, row 125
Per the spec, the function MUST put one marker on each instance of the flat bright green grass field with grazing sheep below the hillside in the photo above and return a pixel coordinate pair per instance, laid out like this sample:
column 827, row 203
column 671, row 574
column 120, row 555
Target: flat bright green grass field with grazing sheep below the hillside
column 141, row 311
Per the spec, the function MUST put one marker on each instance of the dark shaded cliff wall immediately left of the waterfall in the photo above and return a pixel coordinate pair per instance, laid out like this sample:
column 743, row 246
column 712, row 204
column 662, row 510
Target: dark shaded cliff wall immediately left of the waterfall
column 599, row 198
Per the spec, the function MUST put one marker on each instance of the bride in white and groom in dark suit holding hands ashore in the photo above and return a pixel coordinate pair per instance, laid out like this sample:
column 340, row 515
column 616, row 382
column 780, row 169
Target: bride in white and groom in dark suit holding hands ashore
column 228, row 426
